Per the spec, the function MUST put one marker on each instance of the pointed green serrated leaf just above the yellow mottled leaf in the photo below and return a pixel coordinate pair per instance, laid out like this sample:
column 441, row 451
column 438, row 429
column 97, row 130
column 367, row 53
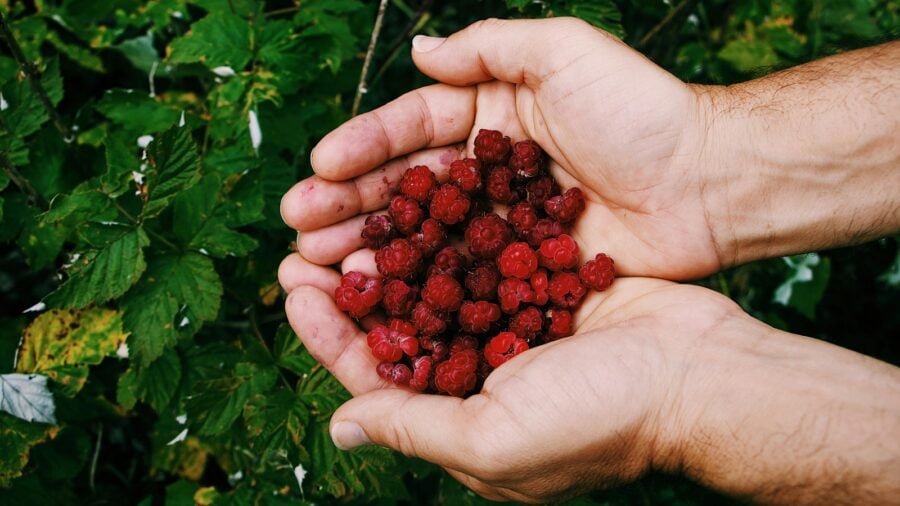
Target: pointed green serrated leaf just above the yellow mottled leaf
column 99, row 275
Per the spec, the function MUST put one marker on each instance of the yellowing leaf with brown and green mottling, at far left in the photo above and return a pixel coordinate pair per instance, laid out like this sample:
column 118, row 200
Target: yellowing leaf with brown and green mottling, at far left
column 62, row 344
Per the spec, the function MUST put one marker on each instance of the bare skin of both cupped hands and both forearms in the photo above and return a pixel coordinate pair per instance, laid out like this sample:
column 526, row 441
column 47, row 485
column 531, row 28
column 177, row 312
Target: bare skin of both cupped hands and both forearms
column 681, row 182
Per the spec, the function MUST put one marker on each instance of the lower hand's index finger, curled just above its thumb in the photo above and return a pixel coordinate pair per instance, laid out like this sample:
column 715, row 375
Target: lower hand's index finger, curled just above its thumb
column 333, row 339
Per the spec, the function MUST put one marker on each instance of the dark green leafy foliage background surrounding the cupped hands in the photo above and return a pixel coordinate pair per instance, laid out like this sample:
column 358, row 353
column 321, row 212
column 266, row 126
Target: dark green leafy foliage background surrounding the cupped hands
column 182, row 267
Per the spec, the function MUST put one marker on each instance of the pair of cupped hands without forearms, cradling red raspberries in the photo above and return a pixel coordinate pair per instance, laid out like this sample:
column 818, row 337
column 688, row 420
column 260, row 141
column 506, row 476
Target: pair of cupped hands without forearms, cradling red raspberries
column 652, row 362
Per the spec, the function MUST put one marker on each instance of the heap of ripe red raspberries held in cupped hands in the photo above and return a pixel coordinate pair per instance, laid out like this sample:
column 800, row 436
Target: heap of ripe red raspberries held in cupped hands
column 455, row 313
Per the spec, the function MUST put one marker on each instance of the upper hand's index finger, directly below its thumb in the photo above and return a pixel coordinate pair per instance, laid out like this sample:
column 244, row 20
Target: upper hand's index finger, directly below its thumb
column 436, row 115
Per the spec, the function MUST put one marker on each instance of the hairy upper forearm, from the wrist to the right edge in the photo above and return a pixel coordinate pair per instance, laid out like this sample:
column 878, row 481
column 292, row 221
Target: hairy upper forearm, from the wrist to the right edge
column 805, row 159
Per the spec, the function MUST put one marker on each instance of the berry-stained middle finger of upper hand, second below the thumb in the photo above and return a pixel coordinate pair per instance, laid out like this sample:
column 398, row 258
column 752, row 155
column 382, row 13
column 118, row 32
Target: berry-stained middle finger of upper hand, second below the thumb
column 316, row 202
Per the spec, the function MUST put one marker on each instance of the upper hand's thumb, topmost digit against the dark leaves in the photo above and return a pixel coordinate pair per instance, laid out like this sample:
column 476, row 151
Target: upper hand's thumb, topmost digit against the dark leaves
column 515, row 51
